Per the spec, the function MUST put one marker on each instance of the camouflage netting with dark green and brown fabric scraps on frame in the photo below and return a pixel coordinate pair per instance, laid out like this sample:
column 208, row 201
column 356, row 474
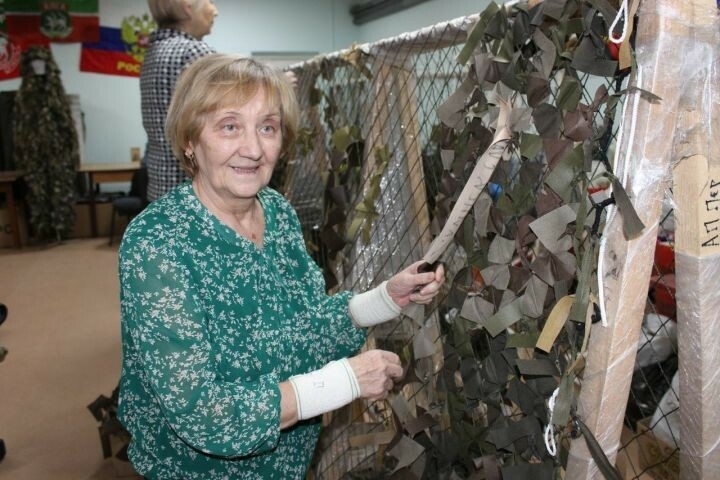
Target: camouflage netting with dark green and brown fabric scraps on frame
column 390, row 134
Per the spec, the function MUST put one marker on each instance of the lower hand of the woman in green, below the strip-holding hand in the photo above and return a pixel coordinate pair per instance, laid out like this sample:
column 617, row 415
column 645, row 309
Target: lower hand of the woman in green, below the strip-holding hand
column 376, row 372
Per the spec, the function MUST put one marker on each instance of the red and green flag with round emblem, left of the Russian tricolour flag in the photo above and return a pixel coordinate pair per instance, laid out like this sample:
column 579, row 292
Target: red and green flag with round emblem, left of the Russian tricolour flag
column 58, row 21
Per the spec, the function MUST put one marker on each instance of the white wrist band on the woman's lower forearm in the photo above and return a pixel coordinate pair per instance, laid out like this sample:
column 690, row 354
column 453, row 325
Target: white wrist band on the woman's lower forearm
column 329, row 388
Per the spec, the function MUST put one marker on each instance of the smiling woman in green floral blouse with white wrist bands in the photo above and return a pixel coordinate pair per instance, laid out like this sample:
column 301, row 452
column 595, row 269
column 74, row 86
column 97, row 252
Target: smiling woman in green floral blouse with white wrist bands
column 231, row 346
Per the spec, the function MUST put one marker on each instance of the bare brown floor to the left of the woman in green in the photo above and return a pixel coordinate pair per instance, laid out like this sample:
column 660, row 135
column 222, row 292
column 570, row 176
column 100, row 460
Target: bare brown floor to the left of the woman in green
column 63, row 337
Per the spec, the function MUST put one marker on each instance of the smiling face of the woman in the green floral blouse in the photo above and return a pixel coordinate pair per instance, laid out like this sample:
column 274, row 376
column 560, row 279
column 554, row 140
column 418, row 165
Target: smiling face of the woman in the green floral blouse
column 238, row 148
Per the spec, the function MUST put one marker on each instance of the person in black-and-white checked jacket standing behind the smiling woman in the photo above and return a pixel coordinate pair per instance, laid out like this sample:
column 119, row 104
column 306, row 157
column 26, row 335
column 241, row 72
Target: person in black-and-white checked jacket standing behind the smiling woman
column 175, row 44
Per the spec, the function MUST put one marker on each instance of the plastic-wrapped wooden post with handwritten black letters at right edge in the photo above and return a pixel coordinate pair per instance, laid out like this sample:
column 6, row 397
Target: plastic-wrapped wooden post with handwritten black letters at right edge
column 697, row 249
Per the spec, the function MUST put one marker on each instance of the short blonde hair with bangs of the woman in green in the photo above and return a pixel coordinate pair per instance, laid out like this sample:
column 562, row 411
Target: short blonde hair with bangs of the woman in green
column 219, row 80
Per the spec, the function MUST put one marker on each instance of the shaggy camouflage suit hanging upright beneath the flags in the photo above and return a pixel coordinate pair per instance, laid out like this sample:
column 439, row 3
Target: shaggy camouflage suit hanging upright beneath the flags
column 46, row 145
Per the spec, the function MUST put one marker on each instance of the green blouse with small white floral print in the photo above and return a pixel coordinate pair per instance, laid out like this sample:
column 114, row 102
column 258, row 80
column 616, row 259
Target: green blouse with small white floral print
column 210, row 325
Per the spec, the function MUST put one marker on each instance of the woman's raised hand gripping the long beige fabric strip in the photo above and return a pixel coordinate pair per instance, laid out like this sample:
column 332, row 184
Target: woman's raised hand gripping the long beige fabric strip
column 410, row 286
